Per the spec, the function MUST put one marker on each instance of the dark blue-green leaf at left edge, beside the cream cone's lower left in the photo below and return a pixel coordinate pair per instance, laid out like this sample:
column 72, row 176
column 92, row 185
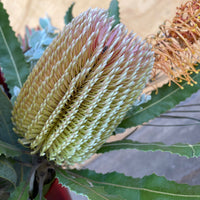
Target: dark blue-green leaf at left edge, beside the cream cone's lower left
column 6, row 132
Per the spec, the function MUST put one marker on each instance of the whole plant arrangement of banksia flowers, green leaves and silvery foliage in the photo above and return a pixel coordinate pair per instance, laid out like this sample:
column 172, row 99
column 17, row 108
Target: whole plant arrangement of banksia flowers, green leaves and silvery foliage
column 63, row 94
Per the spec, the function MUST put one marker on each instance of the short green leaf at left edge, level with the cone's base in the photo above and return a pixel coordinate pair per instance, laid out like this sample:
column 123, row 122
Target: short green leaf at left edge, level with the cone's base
column 9, row 150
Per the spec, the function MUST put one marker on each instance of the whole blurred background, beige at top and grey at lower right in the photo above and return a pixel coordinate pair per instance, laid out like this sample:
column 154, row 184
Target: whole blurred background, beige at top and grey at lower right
column 143, row 17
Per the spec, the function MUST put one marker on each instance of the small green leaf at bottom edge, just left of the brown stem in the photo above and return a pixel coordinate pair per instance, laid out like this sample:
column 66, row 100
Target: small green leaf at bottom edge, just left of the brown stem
column 21, row 192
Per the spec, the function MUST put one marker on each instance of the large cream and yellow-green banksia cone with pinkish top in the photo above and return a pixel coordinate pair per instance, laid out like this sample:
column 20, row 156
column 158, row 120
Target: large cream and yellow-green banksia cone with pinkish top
column 81, row 88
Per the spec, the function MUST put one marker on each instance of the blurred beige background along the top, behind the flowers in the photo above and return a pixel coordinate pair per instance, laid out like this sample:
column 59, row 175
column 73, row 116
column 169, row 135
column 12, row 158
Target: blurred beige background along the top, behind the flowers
column 141, row 16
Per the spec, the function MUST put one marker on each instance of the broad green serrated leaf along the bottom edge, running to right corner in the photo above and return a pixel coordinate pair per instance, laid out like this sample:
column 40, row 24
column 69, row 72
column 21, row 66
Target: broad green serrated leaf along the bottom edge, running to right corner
column 126, row 188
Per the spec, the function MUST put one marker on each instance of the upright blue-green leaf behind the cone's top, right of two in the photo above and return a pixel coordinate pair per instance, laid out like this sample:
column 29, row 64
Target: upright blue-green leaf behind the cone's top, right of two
column 113, row 10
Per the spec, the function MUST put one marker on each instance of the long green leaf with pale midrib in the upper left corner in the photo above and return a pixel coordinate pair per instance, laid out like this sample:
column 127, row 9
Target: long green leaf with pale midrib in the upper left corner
column 12, row 60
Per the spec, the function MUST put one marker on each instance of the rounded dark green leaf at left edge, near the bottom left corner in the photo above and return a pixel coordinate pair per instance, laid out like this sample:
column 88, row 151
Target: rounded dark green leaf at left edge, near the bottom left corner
column 7, row 172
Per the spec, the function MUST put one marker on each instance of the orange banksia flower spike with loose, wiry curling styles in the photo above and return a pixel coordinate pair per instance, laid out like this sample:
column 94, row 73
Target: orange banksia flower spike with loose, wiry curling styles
column 175, row 46
